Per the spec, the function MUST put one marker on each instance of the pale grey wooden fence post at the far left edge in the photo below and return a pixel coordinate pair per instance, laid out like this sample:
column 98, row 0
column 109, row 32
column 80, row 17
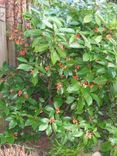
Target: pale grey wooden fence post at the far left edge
column 3, row 44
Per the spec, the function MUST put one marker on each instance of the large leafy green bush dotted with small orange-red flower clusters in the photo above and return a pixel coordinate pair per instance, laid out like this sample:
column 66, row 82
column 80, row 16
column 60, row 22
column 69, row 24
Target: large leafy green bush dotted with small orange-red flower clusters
column 65, row 82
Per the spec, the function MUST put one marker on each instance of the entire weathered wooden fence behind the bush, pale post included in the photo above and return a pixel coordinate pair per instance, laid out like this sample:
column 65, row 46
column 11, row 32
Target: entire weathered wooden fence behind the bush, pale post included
column 10, row 14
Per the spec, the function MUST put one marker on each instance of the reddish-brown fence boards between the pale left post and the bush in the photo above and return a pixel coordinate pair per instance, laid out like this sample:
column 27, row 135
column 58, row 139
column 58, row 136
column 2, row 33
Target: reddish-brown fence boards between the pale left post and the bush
column 14, row 10
